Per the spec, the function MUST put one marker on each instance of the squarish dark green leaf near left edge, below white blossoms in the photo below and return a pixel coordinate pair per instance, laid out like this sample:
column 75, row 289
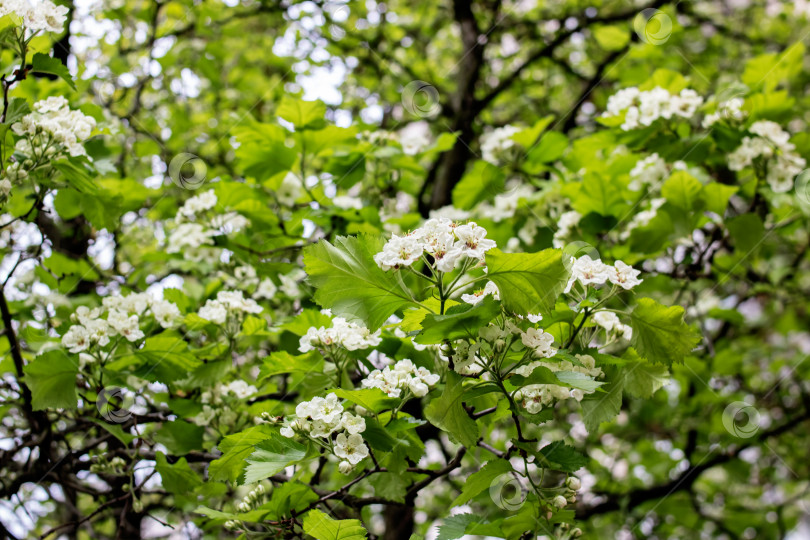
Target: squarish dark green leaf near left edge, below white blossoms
column 51, row 377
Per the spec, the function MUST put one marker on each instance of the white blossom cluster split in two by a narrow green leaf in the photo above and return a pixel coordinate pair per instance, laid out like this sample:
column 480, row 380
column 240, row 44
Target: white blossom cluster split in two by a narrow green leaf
column 535, row 397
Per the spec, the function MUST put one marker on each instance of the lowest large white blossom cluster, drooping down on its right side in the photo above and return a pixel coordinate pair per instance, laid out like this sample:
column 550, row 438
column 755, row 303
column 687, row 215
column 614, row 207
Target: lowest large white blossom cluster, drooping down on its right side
column 323, row 417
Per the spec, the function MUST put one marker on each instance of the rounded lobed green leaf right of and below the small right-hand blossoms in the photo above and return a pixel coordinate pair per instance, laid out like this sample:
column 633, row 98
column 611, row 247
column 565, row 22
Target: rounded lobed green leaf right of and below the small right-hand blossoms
column 660, row 333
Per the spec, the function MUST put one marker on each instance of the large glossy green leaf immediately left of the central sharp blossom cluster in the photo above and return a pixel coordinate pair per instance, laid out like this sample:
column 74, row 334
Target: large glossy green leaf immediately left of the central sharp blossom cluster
column 347, row 280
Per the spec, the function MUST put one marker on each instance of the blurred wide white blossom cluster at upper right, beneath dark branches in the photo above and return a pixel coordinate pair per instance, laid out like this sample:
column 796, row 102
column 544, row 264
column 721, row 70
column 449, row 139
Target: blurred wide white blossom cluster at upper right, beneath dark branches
column 642, row 108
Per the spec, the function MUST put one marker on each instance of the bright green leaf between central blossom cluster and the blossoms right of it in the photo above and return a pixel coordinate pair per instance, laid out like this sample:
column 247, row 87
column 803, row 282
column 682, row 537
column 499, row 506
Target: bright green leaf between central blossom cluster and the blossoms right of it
column 528, row 282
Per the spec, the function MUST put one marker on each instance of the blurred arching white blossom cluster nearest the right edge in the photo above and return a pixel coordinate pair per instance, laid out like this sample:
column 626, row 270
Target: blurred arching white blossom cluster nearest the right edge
column 773, row 144
